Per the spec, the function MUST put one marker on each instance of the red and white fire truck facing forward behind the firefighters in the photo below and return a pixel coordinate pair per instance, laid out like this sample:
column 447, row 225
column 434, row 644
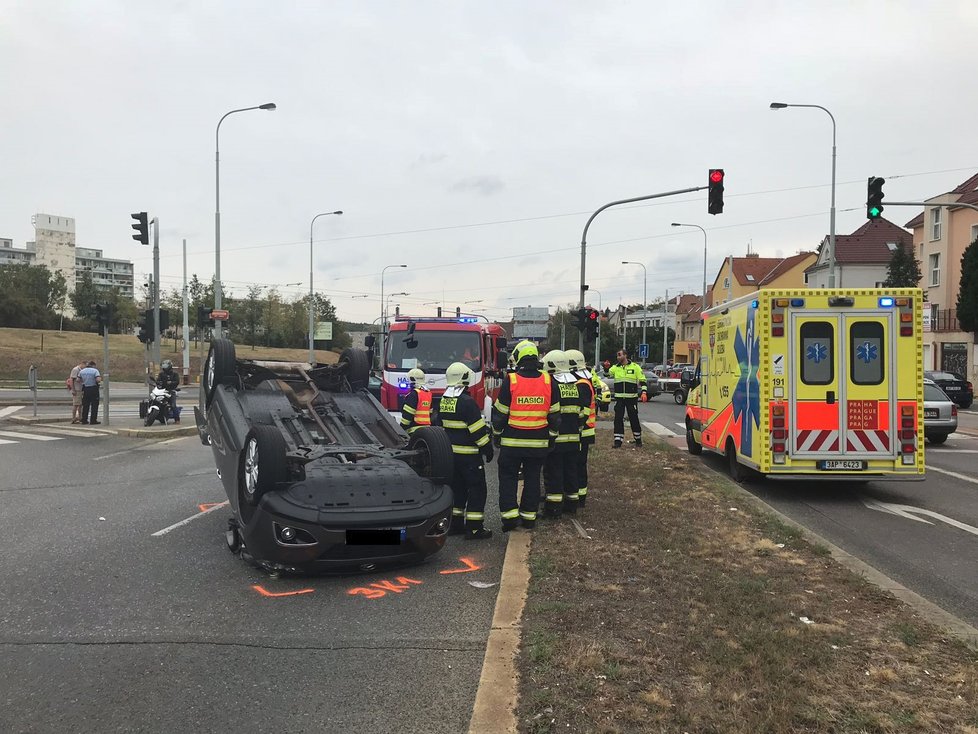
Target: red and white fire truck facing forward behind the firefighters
column 431, row 343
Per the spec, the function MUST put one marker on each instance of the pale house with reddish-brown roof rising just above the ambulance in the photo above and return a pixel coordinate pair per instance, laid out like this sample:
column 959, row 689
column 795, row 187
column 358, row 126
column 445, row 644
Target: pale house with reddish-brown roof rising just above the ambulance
column 862, row 258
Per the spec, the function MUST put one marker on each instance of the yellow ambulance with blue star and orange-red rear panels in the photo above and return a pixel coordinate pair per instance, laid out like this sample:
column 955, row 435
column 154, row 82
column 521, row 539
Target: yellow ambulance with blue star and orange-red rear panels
column 812, row 384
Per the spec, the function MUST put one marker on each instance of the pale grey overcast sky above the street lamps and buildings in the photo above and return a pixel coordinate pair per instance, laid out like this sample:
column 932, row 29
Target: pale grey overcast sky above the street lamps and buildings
column 471, row 140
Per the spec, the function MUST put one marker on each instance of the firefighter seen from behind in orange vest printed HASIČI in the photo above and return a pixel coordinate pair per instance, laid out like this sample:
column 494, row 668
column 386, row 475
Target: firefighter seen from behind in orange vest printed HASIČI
column 525, row 418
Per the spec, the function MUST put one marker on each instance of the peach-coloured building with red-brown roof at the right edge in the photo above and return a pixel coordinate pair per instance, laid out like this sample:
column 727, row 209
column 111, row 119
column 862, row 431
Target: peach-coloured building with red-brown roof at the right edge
column 940, row 236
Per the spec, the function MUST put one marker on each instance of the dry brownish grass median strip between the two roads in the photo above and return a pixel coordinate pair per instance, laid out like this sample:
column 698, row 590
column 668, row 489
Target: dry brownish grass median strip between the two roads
column 690, row 611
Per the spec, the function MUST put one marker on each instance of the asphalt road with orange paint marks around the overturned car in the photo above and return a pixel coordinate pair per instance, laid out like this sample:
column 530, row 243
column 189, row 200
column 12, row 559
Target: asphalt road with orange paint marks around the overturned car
column 104, row 627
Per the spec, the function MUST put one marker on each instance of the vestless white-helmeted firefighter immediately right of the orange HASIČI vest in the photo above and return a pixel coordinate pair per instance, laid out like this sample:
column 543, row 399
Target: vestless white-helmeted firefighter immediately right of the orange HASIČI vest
column 560, row 468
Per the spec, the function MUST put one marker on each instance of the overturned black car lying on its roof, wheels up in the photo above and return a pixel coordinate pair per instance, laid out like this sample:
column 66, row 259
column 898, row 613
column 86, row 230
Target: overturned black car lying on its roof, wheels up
column 320, row 478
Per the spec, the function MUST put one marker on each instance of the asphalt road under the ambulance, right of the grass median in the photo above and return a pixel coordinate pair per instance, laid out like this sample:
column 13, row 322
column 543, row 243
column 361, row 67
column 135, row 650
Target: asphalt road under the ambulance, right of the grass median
column 922, row 534
